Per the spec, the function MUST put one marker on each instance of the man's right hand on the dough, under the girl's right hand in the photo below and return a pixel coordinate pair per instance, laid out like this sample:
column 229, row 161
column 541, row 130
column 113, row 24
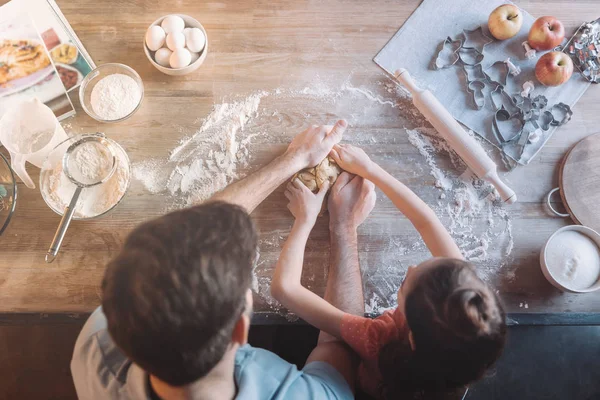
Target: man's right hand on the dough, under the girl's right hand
column 351, row 200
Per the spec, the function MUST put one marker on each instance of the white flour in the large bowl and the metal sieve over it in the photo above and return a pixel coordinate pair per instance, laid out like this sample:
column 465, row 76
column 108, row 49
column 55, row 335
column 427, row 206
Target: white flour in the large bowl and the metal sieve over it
column 93, row 201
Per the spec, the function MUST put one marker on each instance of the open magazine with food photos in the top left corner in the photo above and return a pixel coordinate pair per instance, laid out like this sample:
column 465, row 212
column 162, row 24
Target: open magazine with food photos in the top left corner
column 26, row 28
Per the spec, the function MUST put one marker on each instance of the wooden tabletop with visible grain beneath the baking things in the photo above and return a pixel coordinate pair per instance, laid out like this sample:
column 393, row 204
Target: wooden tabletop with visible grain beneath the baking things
column 264, row 45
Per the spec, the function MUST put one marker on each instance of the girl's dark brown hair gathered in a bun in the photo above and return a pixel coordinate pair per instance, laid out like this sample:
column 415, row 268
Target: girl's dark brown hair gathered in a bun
column 458, row 332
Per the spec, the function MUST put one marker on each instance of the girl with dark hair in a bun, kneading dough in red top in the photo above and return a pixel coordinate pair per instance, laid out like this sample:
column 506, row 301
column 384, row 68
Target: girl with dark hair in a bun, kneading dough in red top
column 449, row 326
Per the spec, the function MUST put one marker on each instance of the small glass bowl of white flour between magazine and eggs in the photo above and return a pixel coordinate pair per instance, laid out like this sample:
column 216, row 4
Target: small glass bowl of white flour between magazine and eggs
column 111, row 93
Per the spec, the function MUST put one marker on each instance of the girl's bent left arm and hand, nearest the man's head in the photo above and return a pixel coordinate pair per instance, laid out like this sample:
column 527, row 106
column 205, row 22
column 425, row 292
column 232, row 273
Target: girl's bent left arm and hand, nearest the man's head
column 286, row 287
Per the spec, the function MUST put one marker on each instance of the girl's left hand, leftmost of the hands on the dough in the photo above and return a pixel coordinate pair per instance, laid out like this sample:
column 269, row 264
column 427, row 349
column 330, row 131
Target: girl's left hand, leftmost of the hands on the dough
column 304, row 204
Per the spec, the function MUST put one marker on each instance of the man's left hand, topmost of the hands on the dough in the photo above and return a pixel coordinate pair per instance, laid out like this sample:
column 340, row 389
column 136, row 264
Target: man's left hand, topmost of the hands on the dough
column 314, row 144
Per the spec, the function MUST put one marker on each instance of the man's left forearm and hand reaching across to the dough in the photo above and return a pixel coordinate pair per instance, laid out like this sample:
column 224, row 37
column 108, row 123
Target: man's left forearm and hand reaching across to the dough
column 307, row 149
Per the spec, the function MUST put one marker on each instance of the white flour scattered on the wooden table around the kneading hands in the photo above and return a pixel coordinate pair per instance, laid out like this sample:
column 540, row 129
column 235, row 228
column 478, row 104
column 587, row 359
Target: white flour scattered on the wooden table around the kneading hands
column 224, row 146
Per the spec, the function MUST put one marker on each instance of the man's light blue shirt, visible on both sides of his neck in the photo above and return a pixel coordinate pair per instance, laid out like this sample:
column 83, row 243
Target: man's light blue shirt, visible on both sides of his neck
column 101, row 371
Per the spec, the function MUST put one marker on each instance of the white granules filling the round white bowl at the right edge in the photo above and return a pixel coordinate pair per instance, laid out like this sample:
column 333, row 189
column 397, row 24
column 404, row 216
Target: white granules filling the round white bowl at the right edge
column 573, row 259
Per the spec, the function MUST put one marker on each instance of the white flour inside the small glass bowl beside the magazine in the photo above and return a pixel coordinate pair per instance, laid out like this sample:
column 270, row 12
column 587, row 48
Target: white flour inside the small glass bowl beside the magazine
column 115, row 96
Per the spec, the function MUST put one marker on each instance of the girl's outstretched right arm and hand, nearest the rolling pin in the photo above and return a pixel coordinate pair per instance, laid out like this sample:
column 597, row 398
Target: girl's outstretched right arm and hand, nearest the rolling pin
column 434, row 234
